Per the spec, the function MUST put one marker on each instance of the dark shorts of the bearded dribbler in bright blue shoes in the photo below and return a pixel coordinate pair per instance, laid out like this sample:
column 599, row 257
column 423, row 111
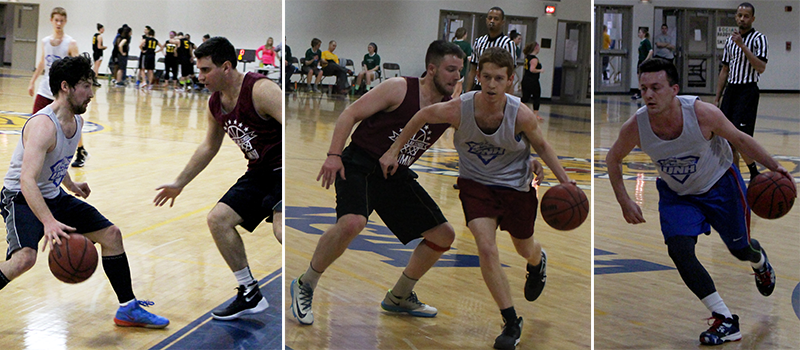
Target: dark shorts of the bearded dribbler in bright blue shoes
column 25, row 230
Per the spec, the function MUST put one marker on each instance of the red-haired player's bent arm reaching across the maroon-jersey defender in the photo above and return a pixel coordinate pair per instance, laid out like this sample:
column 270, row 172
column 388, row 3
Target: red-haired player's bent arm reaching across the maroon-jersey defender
column 437, row 113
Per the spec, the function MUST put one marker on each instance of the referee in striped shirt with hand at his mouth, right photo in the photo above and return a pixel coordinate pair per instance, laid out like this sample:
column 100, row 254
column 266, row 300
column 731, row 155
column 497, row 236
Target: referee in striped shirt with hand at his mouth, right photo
column 743, row 61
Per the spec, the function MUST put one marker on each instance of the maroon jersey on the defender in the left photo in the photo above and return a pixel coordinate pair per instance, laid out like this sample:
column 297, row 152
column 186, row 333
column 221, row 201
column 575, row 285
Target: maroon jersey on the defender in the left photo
column 259, row 138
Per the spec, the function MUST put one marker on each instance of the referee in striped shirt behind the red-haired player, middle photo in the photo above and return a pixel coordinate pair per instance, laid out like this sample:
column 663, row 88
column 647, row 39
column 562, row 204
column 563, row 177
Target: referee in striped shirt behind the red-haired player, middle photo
column 495, row 21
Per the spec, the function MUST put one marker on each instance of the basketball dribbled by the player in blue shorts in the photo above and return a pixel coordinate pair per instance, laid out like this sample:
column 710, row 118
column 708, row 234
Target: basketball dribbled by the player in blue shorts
column 770, row 195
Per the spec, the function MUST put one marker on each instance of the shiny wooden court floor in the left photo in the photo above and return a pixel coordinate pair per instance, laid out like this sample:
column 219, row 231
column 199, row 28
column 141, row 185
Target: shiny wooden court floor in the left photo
column 146, row 139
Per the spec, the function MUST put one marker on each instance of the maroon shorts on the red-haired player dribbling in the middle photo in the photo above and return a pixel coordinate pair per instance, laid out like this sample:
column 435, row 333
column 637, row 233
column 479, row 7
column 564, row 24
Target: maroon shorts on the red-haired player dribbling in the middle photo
column 515, row 211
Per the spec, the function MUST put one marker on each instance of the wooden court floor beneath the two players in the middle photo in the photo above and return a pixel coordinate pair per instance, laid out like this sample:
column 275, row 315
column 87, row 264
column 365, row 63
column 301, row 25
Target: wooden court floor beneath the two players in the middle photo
column 347, row 300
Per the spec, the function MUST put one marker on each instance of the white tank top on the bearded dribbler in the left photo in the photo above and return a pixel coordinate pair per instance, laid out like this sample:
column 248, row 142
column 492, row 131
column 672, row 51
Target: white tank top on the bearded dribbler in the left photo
column 56, row 163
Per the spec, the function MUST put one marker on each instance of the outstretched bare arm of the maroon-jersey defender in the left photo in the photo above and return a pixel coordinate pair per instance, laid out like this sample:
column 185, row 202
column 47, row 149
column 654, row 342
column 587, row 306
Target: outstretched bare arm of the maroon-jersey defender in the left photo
column 202, row 156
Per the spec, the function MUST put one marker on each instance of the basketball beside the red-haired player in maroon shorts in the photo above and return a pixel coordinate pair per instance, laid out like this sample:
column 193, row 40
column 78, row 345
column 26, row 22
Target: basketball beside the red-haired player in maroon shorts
column 564, row 207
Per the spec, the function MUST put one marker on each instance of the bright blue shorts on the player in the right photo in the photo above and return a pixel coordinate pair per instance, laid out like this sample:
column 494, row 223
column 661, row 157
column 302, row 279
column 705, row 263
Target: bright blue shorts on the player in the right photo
column 724, row 207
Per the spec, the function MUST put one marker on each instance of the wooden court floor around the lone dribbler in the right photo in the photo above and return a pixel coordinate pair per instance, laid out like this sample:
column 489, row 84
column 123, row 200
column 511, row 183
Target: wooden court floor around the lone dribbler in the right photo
column 640, row 300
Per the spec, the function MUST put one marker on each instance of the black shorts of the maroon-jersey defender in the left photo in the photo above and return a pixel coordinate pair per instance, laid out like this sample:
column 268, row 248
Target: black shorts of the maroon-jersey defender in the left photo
column 255, row 196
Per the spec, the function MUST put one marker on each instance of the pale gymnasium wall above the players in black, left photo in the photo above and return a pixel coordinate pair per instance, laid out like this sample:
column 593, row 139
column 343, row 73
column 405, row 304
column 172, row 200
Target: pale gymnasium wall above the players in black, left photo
column 246, row 23
